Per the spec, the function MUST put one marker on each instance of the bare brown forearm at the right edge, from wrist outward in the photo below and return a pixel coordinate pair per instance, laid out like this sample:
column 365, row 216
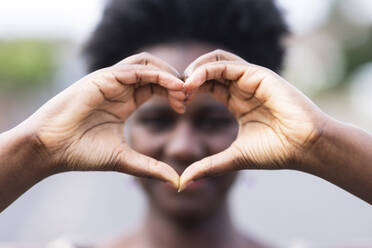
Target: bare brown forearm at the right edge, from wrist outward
column 343, row 156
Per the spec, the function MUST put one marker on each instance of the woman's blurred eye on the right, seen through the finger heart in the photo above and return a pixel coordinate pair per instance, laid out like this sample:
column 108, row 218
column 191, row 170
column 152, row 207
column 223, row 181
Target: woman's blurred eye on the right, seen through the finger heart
column 211, row 123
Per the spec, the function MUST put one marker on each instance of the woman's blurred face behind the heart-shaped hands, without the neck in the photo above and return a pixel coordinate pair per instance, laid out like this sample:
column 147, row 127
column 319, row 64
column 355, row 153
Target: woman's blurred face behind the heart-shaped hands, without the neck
column 206, row 128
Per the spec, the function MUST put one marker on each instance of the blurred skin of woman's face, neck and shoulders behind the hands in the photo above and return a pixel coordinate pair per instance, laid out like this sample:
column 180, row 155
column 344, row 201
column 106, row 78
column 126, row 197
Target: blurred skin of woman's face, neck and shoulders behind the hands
column 197, row 217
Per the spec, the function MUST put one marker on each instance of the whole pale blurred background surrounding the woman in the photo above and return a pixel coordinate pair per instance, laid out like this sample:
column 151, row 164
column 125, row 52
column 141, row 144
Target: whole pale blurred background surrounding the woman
column 329, row 58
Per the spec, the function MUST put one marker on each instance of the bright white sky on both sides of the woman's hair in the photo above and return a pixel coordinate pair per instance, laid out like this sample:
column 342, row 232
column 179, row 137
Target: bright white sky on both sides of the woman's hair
column 75, row 19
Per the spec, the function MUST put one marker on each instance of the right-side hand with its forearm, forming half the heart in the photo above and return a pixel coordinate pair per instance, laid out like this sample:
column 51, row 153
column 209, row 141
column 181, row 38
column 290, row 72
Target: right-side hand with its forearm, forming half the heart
column 279, row 127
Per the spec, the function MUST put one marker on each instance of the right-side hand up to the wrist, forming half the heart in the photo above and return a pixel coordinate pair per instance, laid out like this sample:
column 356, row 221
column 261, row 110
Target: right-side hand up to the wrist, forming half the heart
column 277, row 123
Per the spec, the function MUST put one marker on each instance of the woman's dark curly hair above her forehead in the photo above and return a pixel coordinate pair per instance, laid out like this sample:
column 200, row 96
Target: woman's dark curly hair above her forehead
column 250, row 28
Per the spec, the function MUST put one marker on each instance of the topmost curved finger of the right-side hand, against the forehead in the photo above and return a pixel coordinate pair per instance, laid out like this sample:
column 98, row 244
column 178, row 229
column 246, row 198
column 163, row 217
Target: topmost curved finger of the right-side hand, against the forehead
column 215, row 56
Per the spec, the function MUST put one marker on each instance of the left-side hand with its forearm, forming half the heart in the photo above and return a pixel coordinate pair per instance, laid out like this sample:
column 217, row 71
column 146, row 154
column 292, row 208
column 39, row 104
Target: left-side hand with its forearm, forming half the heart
column 82, row 128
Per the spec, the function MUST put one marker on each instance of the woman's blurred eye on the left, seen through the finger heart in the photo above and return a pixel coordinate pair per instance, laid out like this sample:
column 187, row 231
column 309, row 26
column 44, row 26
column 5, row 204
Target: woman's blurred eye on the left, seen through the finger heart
column 157, row 122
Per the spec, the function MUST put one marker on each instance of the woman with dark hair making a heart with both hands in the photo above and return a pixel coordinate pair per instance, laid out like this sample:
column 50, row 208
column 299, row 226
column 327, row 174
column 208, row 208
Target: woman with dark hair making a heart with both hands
column 231, row 115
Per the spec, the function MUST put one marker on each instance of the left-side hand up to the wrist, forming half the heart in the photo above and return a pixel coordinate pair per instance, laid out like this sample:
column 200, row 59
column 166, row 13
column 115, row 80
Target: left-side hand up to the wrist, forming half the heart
column 82, row 128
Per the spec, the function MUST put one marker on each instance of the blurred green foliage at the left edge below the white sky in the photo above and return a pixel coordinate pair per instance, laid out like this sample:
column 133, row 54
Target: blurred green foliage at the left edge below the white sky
column 26, row 63
